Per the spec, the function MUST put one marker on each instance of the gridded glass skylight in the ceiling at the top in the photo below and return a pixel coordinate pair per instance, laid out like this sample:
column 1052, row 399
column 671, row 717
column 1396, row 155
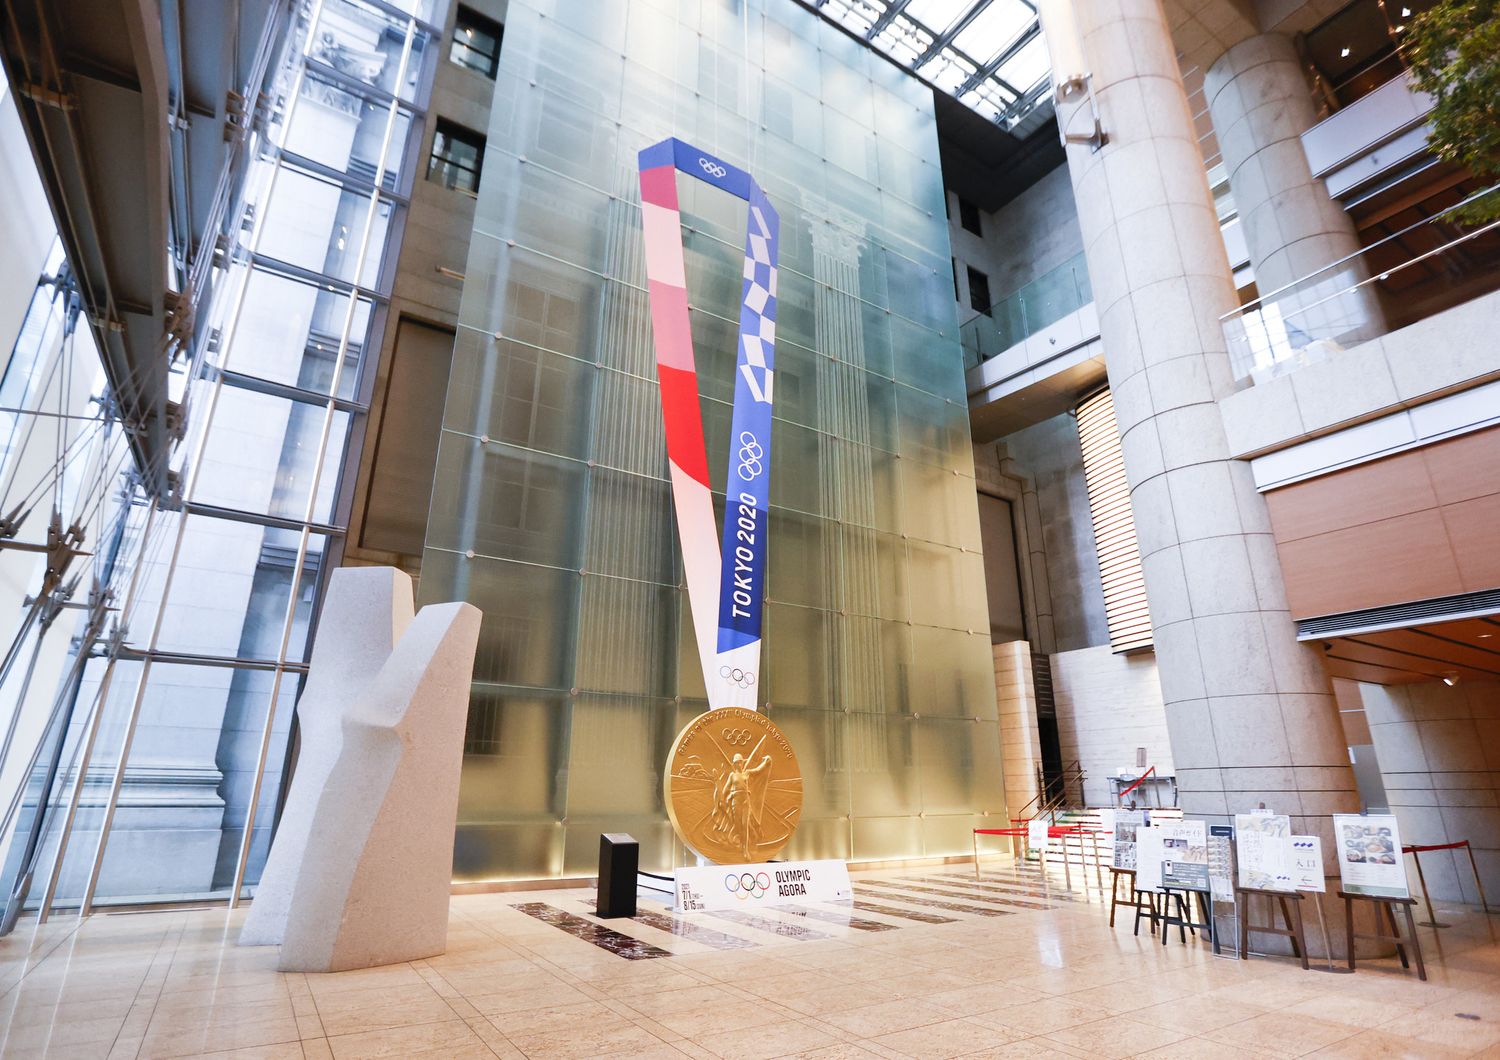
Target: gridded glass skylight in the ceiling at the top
column 989, row 55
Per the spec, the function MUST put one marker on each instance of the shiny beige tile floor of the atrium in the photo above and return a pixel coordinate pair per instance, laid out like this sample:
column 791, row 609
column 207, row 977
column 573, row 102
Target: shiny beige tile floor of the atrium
column 1039, row 983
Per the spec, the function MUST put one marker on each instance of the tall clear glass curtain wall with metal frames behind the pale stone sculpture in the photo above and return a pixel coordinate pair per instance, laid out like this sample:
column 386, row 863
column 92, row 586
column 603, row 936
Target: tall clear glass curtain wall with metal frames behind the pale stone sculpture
column 172, row 770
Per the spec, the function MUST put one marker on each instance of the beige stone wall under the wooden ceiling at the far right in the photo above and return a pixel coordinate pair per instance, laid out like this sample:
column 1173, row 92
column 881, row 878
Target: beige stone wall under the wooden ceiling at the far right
column 1439, row 750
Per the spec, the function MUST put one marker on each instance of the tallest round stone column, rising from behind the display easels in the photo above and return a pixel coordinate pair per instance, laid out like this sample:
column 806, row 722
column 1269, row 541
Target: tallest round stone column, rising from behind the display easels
column 1250, row 711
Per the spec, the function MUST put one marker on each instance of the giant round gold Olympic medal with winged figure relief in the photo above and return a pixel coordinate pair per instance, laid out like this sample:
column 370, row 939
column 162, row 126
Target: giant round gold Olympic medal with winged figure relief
column 733, row 786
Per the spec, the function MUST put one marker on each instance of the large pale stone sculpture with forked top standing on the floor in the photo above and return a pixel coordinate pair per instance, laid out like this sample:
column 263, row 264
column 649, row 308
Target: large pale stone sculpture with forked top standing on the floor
column 368, row 827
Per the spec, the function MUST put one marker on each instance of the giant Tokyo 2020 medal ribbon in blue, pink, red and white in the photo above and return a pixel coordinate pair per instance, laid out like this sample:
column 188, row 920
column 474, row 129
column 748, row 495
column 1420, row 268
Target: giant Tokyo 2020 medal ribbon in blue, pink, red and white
column 725, row 587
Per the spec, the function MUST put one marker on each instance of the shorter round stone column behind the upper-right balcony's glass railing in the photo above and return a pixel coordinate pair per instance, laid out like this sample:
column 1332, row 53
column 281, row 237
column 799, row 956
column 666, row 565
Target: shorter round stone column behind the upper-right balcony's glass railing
column 1261, row 106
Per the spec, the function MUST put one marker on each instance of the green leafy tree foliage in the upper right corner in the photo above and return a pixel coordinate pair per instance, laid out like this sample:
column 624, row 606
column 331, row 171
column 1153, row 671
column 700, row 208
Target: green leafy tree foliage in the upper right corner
column 1454, row 52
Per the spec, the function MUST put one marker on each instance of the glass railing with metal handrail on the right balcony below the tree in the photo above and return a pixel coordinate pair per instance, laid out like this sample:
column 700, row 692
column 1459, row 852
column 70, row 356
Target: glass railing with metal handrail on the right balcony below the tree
column 1411, row 275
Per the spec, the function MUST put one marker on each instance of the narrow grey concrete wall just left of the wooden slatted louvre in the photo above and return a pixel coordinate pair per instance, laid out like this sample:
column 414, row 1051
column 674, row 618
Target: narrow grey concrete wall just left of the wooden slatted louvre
column 1049, row 455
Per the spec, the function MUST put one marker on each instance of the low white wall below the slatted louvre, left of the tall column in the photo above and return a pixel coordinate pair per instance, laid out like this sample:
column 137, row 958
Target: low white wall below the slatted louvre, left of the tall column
column 1108, row 707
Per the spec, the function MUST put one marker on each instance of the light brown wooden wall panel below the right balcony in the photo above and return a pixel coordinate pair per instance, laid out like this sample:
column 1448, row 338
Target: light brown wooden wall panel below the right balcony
column 1411, row 527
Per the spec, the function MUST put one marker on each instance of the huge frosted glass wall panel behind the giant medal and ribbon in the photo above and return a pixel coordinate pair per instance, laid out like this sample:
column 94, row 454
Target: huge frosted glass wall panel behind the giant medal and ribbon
column 553, row 512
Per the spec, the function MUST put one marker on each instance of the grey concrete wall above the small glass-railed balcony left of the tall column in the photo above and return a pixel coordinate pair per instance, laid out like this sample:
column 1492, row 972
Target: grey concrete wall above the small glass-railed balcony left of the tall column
column 1030, row 236
